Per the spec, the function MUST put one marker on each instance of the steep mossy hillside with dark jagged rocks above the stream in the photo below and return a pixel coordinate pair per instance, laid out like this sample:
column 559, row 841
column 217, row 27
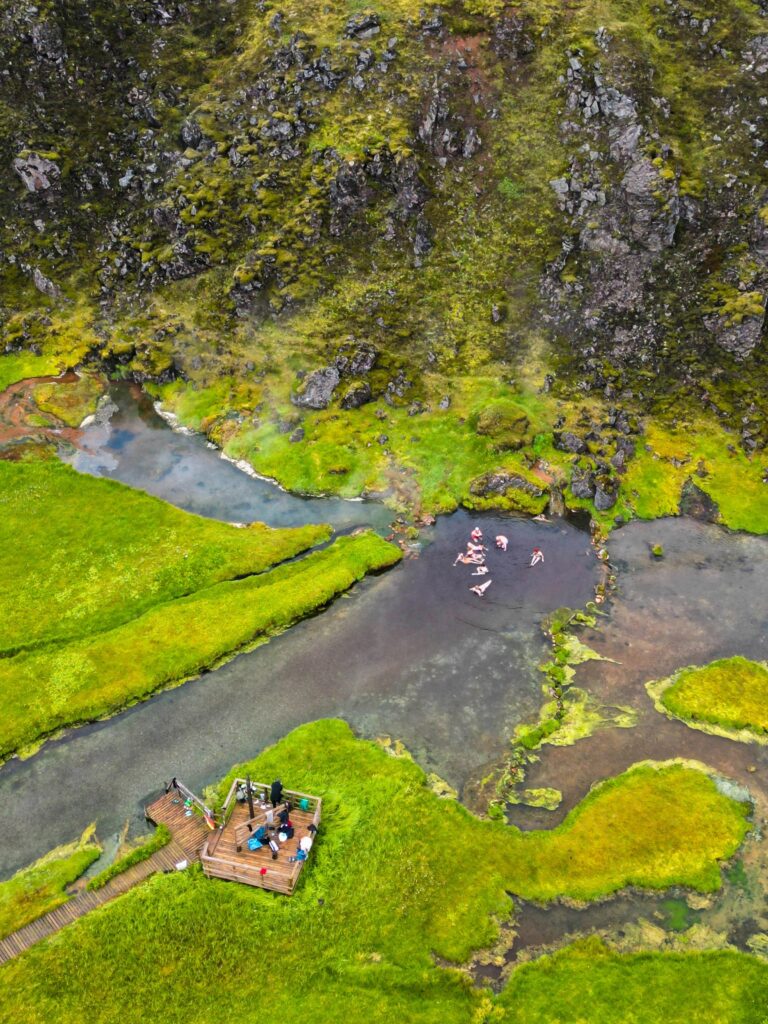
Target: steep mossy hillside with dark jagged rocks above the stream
column 320, row 221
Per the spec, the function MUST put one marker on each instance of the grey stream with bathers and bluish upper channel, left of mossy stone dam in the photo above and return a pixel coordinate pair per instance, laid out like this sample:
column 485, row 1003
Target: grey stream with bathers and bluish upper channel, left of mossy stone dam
column 411, row 654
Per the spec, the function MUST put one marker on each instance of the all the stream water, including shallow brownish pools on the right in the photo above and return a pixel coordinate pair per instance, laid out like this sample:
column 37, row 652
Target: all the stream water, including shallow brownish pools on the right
column 413, row 655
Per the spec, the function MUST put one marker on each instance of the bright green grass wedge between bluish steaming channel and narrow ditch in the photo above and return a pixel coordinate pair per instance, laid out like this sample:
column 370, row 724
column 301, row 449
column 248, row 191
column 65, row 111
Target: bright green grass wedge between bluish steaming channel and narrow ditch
column 80, row 556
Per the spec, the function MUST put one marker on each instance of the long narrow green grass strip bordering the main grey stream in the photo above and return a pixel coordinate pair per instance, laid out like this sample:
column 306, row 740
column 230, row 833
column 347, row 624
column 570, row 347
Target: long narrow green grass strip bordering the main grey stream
column 48, row 689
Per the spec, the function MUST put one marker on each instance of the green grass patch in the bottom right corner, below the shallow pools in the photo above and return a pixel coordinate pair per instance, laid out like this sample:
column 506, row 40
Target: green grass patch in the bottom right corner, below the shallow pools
column 587, row 984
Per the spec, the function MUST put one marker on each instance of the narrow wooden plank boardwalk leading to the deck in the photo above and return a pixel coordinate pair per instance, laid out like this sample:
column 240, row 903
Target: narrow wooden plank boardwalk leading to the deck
column 84, row 903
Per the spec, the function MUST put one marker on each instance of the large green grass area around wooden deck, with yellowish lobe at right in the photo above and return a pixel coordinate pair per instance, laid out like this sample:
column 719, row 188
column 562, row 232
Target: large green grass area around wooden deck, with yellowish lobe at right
column 394, row 880
